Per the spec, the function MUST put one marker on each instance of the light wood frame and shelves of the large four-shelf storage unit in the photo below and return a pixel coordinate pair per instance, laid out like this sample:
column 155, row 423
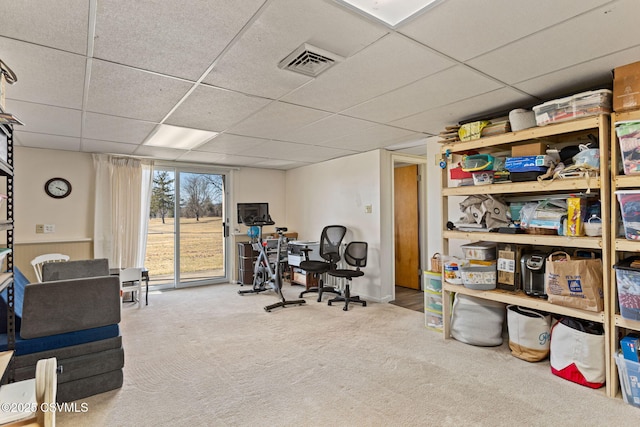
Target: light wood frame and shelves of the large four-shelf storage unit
column 555, row 133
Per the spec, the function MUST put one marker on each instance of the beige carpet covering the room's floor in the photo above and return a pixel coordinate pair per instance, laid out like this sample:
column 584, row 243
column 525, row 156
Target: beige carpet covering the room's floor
column 209, row 357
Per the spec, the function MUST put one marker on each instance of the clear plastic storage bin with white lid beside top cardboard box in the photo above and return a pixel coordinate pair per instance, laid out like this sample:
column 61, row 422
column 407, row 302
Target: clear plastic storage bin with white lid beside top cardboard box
column 583, row 104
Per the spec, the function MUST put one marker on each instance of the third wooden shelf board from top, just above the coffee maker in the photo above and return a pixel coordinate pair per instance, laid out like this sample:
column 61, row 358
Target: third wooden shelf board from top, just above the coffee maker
column 532, row 239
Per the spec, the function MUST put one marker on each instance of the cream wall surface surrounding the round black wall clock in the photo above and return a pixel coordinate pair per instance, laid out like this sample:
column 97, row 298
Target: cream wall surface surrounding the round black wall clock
column 72, row 216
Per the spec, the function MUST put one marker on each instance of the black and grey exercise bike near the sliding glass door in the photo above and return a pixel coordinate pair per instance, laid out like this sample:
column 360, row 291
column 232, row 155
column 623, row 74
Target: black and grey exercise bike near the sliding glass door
column 267, row 272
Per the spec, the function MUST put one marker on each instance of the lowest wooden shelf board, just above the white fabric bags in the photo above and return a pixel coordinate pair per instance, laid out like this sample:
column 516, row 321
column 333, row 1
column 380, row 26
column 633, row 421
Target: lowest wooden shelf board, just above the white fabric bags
column 520, row 298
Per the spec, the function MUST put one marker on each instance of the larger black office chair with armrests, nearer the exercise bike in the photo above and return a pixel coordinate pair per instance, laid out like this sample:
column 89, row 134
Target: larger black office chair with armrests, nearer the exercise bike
column 330, row 241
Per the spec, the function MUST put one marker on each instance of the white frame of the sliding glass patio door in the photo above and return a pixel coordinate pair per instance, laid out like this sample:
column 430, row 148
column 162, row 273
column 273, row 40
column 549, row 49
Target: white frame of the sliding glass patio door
column 179, row 167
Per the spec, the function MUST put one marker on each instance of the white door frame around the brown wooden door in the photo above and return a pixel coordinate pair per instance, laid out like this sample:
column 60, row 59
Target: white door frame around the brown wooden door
column 398, row 159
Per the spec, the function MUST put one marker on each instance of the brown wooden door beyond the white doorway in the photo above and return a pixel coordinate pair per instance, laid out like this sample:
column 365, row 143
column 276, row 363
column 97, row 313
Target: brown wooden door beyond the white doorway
column 406, row 226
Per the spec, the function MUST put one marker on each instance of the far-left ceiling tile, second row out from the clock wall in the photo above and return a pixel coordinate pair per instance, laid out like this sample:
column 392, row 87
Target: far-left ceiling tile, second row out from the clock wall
column 39, row 118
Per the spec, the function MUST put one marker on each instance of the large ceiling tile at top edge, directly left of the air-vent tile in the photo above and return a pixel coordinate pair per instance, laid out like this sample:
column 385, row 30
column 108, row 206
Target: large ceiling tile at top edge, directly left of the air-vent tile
column 180, row 41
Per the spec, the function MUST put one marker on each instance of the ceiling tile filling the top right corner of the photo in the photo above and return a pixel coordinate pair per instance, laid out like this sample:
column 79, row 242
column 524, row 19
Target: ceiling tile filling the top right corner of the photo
column 566, row 45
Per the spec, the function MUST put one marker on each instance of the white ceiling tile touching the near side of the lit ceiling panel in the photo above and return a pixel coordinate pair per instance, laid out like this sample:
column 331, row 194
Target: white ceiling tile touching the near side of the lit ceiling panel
column 214, row 109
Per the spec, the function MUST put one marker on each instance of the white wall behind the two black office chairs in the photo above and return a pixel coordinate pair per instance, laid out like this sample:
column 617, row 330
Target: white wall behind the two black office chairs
column 336, row 192
